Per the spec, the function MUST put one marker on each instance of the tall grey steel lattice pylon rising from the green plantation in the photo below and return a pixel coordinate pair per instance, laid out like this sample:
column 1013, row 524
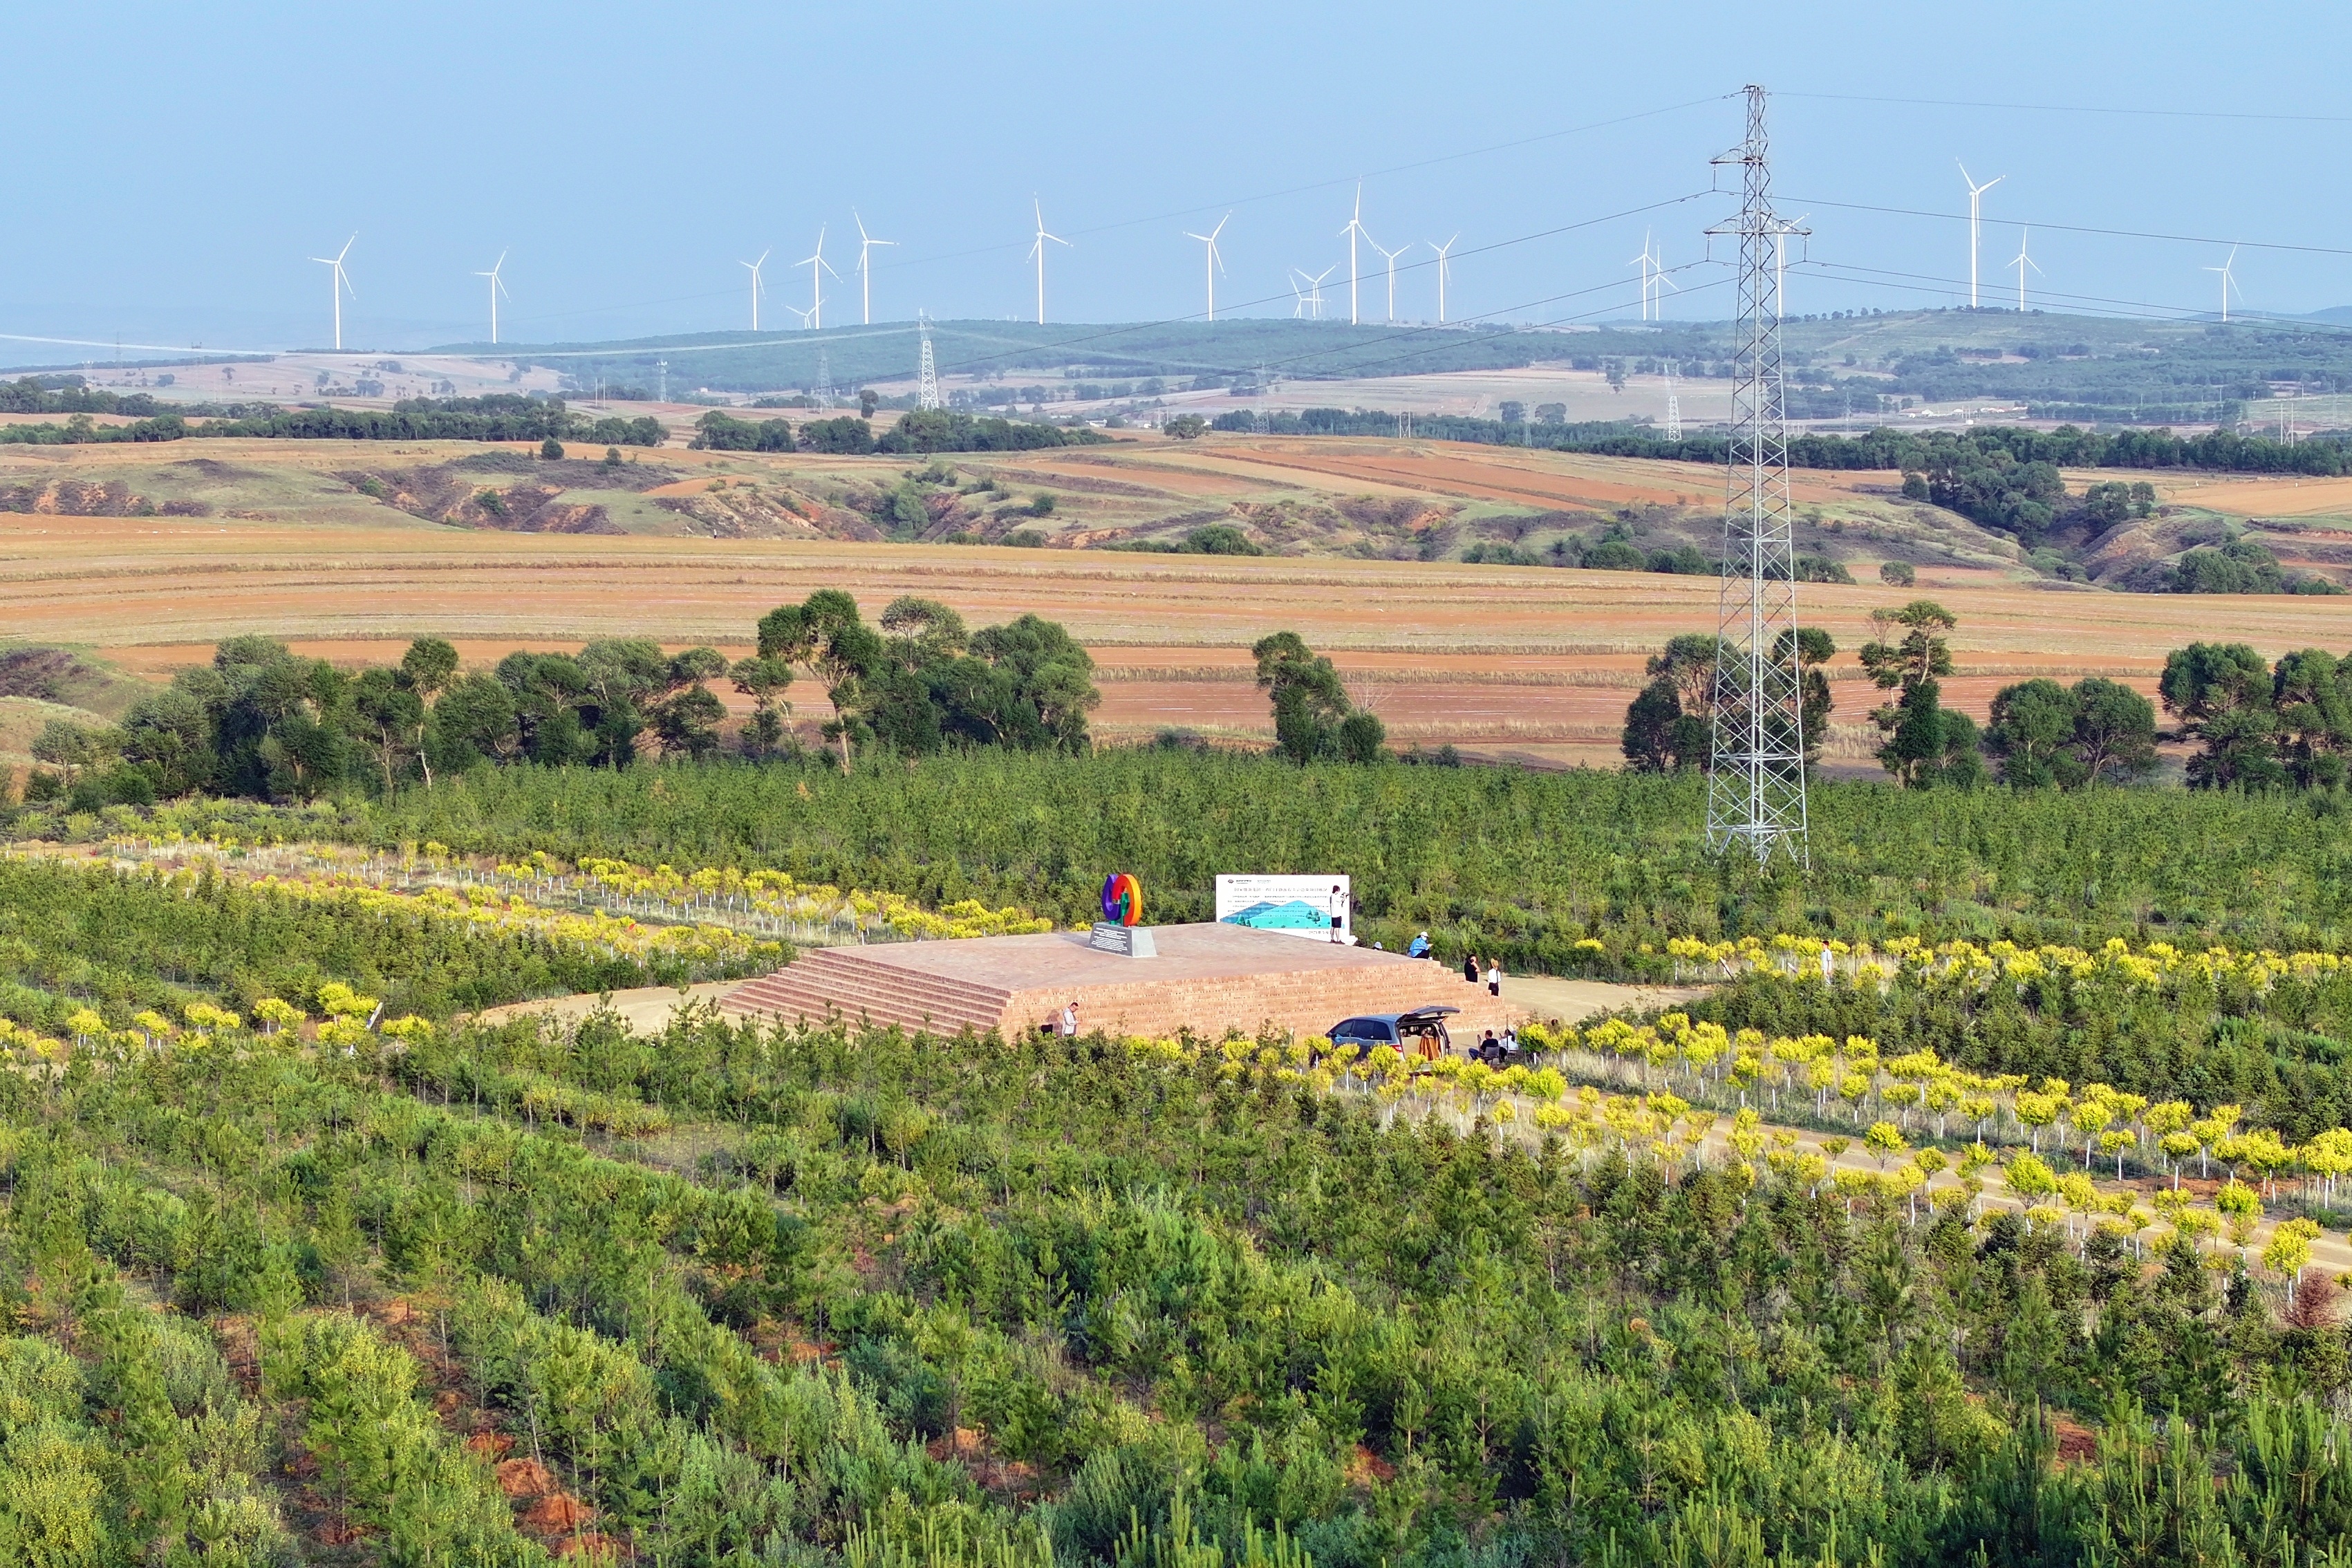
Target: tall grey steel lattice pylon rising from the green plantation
column 1756, row 789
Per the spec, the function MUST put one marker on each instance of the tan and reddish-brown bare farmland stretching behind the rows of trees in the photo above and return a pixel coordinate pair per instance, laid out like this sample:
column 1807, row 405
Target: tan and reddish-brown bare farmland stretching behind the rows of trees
column 1521, row 662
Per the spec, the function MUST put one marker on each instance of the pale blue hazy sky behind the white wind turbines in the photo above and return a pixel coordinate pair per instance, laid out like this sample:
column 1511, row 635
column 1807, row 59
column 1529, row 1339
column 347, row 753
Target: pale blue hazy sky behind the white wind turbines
column 178, row 166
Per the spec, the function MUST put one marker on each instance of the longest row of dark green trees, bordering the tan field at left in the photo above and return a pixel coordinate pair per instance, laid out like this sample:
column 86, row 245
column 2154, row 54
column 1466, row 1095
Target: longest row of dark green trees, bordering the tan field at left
column 265, row 723
